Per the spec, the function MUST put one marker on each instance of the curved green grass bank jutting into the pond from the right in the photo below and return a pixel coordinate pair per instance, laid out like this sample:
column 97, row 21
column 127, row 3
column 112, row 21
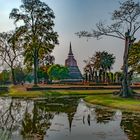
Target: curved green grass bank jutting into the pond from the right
column 114, row 102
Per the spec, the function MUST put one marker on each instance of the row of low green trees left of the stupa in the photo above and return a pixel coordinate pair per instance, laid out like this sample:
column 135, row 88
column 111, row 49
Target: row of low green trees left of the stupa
column 45, row 74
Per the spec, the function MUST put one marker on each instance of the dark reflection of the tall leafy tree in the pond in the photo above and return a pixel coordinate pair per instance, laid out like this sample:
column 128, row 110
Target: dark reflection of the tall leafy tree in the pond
column 36, row 123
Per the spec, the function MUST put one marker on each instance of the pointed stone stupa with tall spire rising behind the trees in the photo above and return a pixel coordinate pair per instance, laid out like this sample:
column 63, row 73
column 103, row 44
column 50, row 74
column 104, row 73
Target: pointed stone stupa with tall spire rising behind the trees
column 71, row 63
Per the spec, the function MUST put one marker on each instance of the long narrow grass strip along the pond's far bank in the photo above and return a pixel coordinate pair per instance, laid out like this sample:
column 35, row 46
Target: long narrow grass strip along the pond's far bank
column 20, row 91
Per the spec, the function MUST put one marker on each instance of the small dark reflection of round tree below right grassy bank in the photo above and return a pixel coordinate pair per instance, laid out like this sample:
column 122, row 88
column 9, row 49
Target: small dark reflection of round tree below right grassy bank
column 104, row 115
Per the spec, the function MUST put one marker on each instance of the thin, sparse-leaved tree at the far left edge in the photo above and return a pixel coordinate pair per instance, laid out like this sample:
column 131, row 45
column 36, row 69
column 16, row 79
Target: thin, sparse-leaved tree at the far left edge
column 11, row 50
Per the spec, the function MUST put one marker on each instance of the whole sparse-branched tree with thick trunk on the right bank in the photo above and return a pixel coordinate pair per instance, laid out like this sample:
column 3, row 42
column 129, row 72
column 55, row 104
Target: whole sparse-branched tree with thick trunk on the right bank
column 126, row 22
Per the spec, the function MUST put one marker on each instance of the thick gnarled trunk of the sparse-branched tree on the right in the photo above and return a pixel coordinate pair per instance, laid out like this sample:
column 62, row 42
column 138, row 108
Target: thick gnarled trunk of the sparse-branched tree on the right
column 126, row 90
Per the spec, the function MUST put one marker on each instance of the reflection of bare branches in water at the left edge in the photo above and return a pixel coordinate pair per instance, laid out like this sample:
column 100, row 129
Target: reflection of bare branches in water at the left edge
column 9, row 121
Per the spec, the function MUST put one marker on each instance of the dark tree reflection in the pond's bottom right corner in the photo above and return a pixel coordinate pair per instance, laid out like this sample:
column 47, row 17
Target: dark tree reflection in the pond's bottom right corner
column 131, row 125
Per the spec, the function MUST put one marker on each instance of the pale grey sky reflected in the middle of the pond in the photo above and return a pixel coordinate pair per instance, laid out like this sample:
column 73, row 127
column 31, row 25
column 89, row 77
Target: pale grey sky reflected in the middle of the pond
column 82, row 129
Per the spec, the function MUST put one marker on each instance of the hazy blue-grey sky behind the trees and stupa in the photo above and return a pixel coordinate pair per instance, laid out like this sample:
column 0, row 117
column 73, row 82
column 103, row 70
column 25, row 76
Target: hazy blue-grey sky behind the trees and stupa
column 73, row 16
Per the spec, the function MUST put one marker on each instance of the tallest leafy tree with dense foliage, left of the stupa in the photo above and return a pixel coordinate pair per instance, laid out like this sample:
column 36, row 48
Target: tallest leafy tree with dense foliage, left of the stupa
column 39, row 36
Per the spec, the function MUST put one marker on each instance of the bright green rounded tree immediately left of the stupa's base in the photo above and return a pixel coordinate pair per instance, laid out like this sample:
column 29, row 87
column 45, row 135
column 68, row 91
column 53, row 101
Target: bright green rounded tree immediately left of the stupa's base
column 57, row 72
